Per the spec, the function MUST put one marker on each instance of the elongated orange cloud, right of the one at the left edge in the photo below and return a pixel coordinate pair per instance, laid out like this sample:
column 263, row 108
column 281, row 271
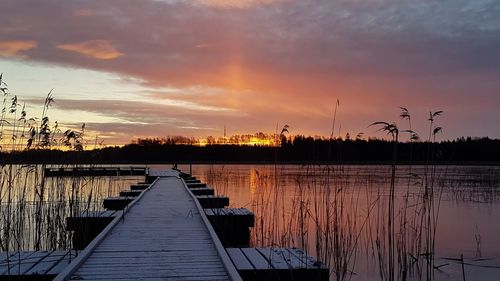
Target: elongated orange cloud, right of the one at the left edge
column 97, row 49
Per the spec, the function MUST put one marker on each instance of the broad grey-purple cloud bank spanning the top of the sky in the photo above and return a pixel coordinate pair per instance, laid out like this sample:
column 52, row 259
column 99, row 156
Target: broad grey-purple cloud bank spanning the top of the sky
column 179, row 43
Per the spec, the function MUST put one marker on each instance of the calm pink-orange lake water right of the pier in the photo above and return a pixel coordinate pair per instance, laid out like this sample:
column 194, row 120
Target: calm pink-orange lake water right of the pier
column 304, row 206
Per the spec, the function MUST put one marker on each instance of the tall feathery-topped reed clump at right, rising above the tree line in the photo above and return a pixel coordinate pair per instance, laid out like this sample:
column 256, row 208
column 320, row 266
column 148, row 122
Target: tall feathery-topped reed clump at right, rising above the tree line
column 424, row 220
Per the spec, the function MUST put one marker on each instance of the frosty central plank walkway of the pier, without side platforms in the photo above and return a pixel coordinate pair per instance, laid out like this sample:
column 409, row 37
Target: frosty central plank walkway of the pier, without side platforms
column 162, row 235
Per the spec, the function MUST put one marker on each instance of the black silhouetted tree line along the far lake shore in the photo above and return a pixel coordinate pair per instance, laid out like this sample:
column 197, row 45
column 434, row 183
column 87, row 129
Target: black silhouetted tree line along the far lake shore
column 298, row 149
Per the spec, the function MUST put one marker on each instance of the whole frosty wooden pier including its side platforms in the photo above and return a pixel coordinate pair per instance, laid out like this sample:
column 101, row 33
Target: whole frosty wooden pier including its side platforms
column 171, row 229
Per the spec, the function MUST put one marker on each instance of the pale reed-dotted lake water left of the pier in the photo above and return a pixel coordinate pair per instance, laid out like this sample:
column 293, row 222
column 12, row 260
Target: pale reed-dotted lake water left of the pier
column 33, row 209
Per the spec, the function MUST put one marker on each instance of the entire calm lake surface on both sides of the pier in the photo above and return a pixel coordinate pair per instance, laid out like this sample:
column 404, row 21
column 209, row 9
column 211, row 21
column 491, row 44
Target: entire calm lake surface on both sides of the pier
column 339, row 214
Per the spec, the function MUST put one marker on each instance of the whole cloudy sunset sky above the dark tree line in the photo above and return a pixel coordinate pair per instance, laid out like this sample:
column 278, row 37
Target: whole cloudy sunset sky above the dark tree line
column 132, row 69
